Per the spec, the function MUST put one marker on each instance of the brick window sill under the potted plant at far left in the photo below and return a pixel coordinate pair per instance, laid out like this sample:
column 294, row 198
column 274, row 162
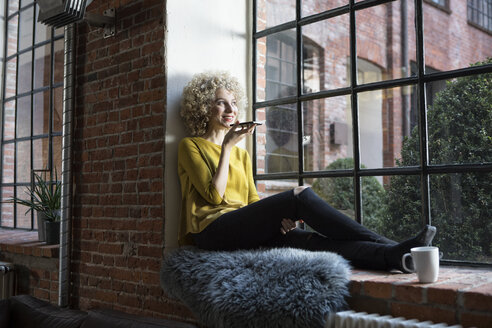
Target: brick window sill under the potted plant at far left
column 26, row 243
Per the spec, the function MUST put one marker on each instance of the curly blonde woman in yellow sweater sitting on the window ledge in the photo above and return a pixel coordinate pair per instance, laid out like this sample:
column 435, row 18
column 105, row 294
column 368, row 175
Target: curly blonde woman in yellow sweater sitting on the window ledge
column 221, row 209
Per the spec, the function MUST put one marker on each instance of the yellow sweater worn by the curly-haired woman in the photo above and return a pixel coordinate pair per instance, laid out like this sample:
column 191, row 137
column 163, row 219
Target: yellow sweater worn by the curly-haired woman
column 201, row 204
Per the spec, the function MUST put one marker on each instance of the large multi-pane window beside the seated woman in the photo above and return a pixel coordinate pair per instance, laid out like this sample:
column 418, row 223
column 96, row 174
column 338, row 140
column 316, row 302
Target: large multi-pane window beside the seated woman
column 383, row 110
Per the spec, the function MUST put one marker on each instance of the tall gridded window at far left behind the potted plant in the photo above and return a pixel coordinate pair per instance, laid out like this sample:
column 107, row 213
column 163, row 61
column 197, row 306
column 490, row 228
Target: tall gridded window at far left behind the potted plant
column 31, row 105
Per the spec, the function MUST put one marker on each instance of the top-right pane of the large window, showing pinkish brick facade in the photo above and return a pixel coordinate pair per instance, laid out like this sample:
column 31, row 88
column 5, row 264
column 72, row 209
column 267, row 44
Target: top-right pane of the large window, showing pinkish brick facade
column 450, row 42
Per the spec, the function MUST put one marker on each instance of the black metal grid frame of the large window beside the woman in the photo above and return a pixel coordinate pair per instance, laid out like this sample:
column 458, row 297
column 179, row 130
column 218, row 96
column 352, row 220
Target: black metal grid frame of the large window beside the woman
column 424, row 170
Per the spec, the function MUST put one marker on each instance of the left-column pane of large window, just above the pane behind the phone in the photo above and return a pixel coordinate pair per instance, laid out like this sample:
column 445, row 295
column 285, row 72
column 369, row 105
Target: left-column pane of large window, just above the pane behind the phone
column 276, row 66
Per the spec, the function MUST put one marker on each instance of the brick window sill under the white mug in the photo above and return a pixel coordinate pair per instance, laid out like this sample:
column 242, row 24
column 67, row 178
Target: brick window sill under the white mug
column 460, row 296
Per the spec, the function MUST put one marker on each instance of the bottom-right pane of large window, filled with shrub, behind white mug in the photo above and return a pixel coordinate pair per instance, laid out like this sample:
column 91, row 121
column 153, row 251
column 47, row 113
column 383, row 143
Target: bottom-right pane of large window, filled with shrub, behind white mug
column 461, row 207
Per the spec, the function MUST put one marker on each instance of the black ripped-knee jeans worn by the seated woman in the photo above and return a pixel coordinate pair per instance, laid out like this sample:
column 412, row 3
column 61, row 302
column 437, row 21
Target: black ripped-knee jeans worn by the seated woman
column 258, row 225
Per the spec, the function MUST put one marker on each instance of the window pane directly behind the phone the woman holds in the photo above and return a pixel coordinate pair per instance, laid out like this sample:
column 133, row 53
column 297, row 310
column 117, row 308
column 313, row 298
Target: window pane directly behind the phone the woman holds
column 277, row 147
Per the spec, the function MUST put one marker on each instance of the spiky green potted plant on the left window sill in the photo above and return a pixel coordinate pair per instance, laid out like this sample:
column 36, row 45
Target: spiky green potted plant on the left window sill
column 44, row 197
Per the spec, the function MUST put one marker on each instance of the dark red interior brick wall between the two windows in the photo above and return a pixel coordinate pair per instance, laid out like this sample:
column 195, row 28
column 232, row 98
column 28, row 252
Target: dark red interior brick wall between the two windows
column 119, row 162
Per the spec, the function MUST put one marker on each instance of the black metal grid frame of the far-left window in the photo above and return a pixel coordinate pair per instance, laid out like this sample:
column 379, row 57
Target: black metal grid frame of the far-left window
column 31, row 93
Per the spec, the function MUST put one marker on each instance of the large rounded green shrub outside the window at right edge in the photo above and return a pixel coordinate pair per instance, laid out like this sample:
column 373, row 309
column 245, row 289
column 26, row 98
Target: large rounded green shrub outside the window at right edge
column 460, row 130
